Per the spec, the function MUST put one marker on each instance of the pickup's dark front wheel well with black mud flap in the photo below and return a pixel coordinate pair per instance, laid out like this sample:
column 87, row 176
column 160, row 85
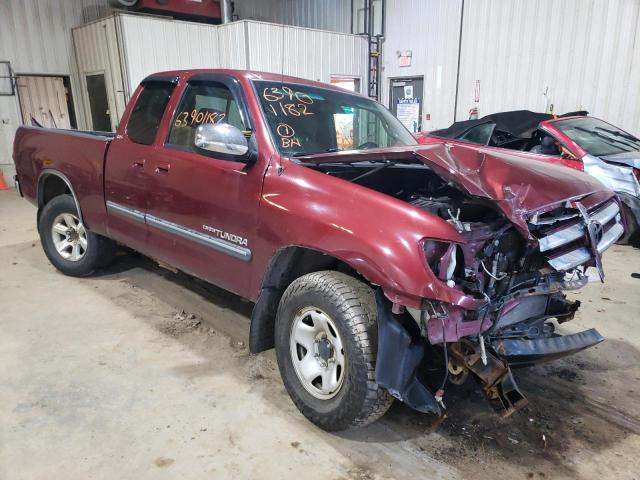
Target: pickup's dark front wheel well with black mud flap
column 286, row 265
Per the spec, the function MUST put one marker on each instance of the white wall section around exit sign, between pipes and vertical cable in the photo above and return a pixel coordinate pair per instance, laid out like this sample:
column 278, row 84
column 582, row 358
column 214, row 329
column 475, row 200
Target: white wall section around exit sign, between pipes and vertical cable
column 430, row 29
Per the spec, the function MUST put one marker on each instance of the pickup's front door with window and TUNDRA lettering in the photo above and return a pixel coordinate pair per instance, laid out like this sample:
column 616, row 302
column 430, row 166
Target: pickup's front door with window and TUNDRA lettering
column 203, row 205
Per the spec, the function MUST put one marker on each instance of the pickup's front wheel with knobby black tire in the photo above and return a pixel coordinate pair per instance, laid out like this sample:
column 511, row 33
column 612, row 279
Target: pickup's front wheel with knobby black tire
column 351, row 309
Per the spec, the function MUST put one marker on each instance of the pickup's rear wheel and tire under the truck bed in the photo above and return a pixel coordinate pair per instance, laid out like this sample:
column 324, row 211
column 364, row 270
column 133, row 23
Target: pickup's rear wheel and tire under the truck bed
column 85, row 253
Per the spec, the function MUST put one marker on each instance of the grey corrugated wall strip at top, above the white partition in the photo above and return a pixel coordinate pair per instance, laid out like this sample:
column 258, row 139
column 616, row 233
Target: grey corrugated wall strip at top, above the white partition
column 334, row 15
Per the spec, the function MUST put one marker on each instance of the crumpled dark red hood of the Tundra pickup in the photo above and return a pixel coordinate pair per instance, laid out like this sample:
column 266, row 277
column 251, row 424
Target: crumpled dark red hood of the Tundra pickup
column 520, row 185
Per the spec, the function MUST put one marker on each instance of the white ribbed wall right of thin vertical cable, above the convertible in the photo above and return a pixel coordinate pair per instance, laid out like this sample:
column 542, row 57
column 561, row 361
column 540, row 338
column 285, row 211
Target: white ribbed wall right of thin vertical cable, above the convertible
column 584, row 53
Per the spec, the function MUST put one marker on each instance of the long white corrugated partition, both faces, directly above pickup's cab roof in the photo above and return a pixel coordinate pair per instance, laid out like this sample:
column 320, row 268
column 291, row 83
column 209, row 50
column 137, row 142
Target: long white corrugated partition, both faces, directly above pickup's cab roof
column 153, row 44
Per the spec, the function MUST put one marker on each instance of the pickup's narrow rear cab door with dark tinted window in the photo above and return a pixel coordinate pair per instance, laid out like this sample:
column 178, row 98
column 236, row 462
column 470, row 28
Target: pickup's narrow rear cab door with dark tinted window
column 129, row 165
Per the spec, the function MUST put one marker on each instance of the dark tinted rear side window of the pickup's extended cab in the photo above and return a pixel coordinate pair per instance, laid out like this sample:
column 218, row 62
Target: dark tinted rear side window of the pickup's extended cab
column 147, row 113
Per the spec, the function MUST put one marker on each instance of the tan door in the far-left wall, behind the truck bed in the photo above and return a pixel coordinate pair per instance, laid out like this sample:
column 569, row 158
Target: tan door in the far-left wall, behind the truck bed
column 46, row 101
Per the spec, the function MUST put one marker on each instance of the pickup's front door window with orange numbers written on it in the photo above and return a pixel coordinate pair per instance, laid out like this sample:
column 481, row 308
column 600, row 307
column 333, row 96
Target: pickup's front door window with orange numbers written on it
column 203, row 103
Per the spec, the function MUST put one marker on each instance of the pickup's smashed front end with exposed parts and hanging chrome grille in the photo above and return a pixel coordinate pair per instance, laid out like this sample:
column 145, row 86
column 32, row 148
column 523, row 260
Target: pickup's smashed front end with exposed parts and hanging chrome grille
column 511, row 285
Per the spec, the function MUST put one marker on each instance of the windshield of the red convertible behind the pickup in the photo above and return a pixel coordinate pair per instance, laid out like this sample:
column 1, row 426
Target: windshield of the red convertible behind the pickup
column 598, row 138
